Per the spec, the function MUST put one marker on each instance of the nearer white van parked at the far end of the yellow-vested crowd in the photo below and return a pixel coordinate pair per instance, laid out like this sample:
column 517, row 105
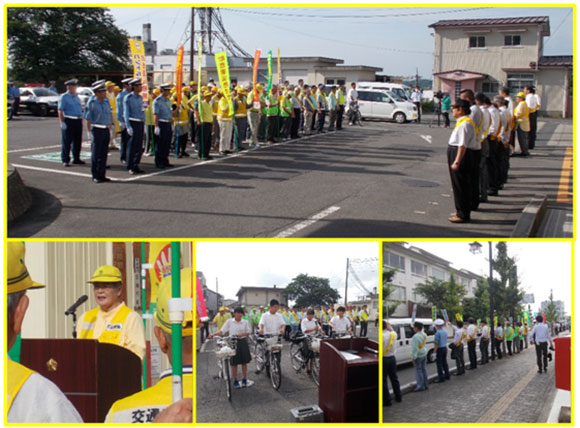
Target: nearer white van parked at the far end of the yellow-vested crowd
column 378, row 104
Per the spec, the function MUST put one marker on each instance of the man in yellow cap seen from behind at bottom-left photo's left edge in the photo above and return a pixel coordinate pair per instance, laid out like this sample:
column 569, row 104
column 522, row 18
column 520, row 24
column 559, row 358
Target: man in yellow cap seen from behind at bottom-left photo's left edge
column 31, row 398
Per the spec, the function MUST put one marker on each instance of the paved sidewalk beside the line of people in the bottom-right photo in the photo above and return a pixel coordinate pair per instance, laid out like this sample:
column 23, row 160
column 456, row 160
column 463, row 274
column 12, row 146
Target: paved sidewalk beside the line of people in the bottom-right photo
column 504, row 391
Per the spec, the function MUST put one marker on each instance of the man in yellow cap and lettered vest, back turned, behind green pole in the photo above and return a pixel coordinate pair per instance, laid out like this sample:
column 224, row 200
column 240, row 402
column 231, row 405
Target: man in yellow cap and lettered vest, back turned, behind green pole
column 143, row 406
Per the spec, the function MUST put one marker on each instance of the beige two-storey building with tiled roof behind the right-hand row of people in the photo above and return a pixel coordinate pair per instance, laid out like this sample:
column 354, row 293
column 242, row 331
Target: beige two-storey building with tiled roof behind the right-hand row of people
column 485, row 54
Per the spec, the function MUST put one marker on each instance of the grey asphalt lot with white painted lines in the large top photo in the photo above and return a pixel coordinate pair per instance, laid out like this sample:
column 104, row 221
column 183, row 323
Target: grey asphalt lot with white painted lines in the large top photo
column 379, row 180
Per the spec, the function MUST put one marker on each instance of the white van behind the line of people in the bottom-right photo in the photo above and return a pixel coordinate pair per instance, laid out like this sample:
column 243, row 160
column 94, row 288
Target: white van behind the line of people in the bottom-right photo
column 405, row 332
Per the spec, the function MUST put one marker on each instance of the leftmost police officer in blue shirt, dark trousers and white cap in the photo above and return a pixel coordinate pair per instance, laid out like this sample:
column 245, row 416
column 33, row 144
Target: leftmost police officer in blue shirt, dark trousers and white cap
column 70, row 113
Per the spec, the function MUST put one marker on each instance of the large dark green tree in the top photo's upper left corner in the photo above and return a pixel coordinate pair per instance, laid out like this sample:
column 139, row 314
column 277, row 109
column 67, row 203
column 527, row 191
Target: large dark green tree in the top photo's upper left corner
column 45, row 43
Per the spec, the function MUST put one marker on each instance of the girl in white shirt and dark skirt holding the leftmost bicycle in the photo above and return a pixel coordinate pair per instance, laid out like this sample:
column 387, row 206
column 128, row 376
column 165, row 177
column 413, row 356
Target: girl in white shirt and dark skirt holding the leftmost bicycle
column 238, row 327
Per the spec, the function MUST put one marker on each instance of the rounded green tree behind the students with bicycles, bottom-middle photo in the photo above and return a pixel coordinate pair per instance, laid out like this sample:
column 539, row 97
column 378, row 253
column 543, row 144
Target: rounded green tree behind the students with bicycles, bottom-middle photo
column 308, row 290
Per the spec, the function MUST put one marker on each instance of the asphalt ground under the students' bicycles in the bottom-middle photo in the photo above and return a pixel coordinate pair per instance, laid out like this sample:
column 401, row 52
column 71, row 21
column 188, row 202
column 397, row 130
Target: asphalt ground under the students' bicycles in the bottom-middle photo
column 259, row 403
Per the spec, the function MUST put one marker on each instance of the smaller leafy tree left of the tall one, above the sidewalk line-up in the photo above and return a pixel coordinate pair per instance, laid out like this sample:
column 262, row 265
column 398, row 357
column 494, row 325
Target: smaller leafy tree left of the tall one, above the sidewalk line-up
column 443, row 294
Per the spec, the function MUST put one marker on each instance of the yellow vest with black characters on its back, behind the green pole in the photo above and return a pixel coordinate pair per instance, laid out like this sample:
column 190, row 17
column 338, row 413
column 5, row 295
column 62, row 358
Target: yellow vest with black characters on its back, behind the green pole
column 143, row 406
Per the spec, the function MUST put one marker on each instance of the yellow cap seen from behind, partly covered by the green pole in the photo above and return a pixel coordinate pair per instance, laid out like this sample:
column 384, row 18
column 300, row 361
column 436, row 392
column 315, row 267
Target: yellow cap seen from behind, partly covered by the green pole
column 161, row 314
